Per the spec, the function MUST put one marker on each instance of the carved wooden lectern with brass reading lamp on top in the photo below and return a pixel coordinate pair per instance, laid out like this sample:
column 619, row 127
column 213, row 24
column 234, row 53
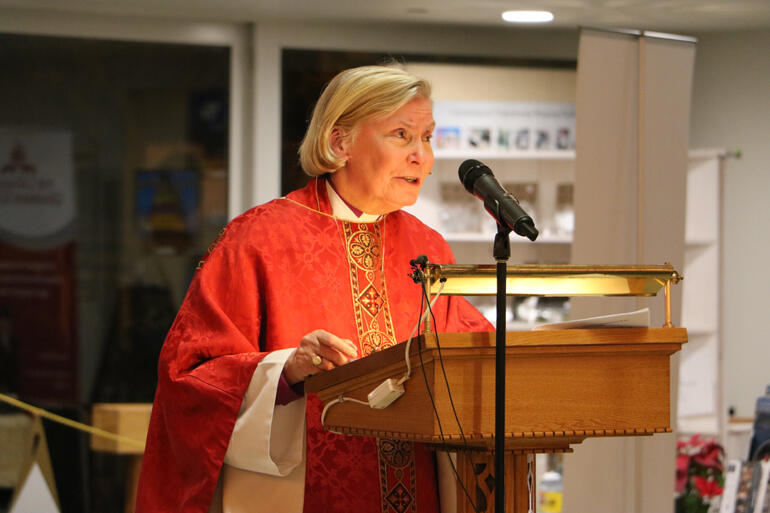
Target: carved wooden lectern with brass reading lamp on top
column 562, row 386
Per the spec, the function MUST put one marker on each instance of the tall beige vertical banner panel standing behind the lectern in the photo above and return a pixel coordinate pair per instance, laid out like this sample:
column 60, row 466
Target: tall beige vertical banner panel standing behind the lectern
column 633, row 99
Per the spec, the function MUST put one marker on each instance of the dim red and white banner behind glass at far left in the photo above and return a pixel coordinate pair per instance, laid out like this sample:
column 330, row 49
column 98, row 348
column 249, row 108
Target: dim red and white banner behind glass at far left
column 37, row 262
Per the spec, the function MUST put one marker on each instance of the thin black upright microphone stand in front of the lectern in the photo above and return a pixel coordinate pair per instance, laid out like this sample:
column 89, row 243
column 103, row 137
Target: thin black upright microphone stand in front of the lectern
column 501, row 253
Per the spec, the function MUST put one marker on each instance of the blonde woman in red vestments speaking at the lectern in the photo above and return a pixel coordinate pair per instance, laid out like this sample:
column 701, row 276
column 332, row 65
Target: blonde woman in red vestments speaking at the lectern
column 294, row 287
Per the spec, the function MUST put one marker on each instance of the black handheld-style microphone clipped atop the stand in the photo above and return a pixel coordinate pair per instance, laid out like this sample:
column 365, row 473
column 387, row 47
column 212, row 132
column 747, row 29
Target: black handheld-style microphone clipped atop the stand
column 479, row 181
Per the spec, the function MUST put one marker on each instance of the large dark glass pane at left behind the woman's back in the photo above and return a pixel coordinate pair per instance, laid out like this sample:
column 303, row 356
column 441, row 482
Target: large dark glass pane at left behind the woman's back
column 114, row 180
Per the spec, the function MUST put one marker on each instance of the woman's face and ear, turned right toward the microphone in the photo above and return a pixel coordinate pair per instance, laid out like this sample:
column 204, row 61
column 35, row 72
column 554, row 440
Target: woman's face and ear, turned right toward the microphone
column 387, row 159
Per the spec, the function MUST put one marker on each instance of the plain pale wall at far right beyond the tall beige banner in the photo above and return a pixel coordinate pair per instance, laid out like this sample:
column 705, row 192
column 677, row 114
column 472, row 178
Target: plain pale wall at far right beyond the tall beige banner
column 731, row 110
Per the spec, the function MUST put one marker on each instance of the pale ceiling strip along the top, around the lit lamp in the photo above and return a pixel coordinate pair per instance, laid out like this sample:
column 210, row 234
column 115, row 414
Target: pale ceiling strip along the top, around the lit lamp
column 681, row 16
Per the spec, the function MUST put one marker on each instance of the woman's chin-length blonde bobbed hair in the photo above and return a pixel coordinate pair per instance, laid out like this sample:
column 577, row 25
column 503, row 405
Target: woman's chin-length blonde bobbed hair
column 353, row 96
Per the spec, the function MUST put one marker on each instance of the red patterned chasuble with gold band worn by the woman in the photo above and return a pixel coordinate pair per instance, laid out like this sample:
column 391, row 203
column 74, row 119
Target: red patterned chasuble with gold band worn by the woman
column 278, row 272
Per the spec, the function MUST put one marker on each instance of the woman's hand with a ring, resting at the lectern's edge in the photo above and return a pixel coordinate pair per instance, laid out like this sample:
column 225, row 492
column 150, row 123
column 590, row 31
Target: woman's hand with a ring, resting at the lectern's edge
column 331, row 349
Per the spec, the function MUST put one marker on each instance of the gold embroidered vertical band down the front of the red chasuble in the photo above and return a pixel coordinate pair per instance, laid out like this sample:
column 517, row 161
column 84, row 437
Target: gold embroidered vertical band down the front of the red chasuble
column 365, row 253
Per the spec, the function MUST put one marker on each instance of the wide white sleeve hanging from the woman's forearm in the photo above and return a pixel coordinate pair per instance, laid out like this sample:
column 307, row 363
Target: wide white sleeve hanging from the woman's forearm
column 268, row 438
